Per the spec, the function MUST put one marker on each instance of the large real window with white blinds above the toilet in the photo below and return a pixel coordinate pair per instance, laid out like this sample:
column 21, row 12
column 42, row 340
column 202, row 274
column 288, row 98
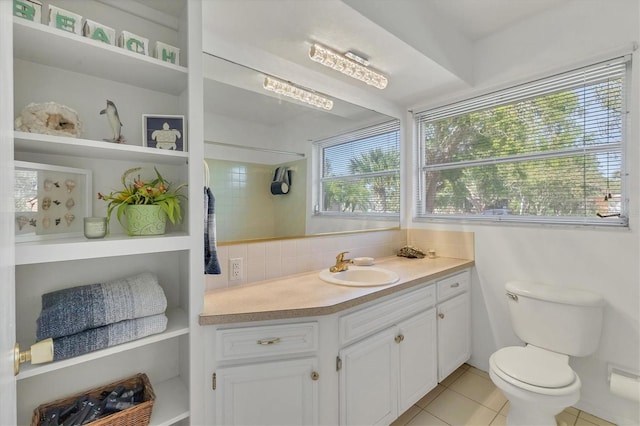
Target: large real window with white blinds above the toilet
column 548, row 151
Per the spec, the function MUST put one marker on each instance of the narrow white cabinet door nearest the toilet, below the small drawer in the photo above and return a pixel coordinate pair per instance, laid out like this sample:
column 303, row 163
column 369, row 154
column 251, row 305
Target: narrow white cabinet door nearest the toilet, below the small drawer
column 454, row 334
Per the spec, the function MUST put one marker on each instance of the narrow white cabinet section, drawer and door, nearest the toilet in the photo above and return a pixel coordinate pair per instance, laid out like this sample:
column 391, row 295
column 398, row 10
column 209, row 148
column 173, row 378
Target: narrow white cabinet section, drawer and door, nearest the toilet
column 454, row 323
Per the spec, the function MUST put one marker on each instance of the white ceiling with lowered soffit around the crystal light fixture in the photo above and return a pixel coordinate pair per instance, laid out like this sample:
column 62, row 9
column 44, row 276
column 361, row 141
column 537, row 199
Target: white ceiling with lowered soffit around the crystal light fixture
column 423, row 46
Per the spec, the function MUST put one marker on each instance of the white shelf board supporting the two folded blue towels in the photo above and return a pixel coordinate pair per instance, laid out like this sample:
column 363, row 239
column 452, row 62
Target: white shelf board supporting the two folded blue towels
column 177, row 325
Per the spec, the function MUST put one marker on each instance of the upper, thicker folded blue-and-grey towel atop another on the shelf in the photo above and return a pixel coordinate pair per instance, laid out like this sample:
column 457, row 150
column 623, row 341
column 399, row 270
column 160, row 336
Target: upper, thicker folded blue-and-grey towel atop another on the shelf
column 75, row 309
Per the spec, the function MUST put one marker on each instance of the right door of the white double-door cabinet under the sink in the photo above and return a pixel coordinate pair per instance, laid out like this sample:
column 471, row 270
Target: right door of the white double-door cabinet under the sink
column 418, row 358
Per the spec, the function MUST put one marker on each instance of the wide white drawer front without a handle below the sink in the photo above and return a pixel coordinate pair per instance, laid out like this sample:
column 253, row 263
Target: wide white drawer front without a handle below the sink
column 361, row 323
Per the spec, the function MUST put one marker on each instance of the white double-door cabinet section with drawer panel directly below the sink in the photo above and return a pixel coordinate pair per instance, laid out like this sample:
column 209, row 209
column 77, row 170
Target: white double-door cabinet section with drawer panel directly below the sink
column 385, row 373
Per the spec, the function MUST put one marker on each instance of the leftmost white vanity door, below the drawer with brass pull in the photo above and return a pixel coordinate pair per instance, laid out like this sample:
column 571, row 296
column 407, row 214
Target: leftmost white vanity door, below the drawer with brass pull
column 277, row 393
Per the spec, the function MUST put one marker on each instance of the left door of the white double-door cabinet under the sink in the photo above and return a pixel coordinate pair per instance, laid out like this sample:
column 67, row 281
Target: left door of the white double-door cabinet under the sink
column 368, row 380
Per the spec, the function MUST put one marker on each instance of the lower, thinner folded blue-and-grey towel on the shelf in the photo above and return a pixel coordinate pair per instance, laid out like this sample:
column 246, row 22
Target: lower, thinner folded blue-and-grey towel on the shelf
column 109, row 335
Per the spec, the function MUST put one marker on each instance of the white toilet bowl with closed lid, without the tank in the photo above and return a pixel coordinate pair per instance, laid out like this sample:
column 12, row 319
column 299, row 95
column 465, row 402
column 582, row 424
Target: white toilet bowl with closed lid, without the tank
column 539, row 384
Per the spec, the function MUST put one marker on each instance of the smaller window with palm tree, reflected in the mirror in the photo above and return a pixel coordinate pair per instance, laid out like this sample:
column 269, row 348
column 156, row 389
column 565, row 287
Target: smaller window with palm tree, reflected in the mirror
column 359, row 172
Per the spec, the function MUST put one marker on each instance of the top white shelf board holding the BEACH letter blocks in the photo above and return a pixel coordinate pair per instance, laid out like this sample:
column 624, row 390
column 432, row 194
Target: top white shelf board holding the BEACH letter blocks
column 39, row 43
